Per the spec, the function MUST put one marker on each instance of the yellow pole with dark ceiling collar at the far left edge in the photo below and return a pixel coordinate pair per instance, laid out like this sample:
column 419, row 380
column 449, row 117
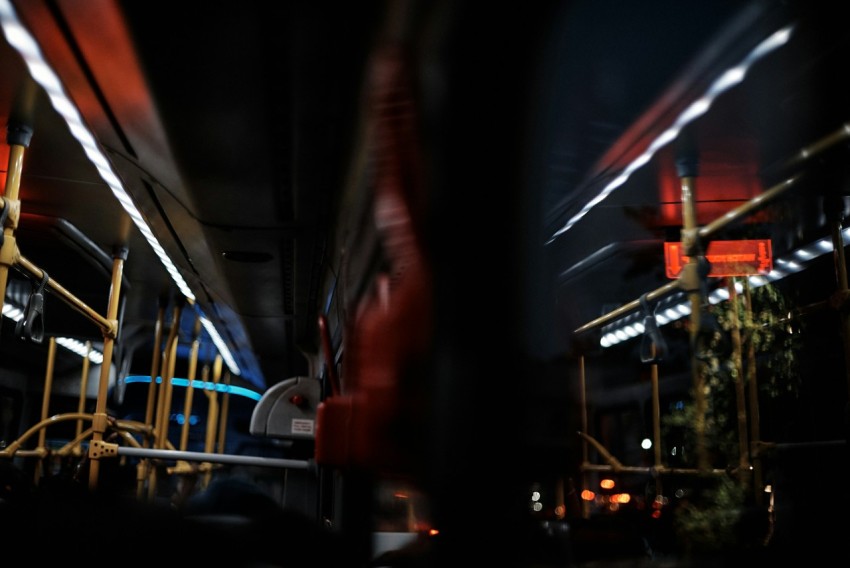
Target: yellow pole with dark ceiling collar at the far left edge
column 18, row 138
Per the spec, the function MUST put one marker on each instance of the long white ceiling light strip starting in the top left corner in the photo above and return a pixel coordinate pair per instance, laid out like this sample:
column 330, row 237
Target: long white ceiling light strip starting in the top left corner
column 20, row 38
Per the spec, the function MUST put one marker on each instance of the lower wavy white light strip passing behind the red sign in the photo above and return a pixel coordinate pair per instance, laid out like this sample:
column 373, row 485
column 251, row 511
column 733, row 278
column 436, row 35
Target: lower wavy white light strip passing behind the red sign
column 793, row 262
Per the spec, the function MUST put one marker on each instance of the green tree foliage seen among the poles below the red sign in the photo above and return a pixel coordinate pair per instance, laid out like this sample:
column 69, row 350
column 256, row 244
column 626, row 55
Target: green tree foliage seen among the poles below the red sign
column 710, row 516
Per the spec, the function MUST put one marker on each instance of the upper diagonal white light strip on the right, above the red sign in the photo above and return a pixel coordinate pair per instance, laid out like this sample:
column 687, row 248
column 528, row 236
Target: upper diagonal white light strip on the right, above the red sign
column 726, row 81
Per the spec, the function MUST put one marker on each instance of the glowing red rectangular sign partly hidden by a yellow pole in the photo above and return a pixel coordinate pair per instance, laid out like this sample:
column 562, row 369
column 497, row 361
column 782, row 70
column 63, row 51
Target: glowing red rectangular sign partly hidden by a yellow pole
column 727, row 258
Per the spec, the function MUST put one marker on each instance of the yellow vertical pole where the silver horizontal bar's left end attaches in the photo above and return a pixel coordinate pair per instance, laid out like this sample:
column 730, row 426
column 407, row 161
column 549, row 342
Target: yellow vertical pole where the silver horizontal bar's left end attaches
column 99, row 421
